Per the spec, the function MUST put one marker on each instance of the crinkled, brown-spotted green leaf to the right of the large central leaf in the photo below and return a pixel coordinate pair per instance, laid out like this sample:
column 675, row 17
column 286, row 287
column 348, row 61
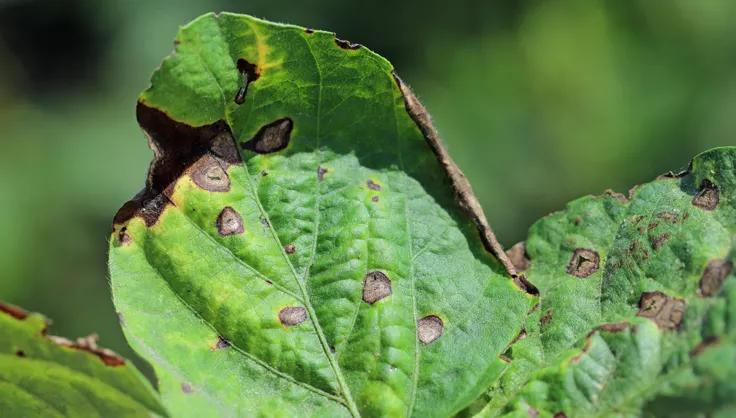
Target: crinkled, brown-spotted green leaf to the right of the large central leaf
column 637, row 302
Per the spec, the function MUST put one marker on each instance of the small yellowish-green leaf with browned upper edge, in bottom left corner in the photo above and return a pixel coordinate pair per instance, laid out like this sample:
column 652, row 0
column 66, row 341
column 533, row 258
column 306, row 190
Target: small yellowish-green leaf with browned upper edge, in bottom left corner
column 42, row 375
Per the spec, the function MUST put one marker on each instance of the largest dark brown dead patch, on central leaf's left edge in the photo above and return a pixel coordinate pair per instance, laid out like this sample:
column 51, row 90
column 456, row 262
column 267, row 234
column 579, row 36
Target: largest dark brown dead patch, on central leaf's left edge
column 176, row 146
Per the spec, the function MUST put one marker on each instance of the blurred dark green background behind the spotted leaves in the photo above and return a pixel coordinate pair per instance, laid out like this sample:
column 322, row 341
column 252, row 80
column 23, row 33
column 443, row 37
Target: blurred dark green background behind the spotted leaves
column 539, row 102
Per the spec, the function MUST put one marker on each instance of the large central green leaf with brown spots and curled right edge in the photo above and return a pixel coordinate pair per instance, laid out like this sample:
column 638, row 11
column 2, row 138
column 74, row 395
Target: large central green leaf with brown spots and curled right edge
column 304, row 245
